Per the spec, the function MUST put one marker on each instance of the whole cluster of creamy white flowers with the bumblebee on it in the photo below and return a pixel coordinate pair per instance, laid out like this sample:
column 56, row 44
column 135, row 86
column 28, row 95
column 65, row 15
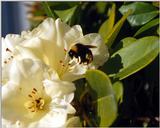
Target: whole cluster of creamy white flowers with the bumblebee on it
column 38, row 70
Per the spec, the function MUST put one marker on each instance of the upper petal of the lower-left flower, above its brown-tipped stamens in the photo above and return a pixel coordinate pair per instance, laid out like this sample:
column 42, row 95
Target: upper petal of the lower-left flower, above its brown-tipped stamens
column 24, row 71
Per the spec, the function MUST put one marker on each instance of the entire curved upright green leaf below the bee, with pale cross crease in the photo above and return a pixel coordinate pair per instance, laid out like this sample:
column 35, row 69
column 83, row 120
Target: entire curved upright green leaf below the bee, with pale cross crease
column 103, row 91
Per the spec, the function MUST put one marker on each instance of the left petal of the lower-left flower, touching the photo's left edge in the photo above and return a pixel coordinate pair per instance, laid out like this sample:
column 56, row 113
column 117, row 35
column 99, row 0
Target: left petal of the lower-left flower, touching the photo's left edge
column 12, row 107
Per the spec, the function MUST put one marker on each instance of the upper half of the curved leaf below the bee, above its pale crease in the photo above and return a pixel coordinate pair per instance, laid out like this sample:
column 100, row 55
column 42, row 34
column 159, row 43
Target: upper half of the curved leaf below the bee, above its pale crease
column 99, row 82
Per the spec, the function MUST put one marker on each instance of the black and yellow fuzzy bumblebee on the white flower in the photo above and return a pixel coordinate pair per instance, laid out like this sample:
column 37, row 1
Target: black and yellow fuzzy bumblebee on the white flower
column 82, row 53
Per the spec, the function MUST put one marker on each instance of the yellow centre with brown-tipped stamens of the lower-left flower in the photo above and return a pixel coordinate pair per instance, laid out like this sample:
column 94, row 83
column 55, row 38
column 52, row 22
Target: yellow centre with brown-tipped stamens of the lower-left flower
column 35, row 102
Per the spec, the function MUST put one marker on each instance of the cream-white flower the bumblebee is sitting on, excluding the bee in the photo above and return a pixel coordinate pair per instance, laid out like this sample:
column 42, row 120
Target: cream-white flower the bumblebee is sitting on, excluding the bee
column 51, row 42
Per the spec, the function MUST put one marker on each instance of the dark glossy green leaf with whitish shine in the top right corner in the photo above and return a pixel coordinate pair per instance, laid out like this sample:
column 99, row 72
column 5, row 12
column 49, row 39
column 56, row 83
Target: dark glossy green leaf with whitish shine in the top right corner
column 142, row 12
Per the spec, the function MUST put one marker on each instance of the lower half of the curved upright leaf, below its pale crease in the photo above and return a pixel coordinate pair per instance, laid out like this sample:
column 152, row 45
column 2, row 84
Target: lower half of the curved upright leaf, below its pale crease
column 106, row 110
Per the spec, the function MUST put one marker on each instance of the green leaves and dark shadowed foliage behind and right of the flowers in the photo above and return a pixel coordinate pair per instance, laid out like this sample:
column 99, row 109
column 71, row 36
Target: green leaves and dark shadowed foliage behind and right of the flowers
column 131, row 32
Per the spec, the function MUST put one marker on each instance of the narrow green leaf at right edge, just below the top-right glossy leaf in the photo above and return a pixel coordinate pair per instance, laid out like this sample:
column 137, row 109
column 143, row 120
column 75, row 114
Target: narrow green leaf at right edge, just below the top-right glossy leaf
column 147, row 26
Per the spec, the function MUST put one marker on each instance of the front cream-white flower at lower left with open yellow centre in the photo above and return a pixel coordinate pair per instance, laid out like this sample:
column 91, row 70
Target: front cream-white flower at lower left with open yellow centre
column 30, row 101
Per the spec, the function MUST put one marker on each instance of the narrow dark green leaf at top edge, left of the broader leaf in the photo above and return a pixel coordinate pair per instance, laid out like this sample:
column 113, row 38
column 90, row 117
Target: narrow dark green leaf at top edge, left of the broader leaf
column 48, row 10
